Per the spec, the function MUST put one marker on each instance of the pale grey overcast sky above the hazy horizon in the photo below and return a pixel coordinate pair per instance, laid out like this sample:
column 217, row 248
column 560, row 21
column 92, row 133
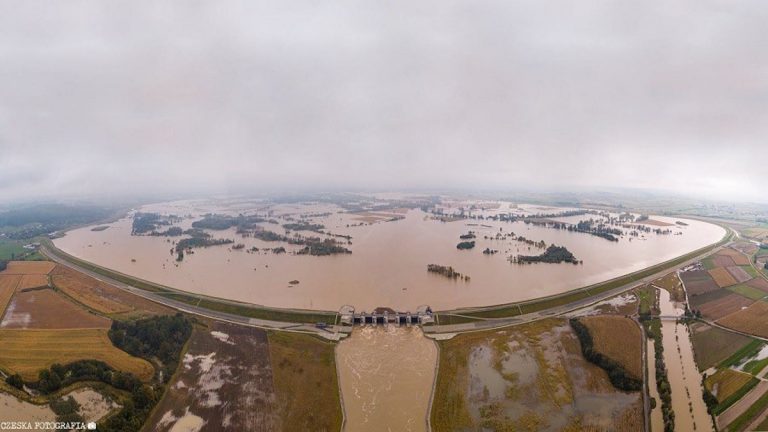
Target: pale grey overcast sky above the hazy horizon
column 104, row 97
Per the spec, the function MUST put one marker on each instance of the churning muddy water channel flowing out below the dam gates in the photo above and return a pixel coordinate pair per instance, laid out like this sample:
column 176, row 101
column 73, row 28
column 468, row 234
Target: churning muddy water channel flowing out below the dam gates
column 386, row 376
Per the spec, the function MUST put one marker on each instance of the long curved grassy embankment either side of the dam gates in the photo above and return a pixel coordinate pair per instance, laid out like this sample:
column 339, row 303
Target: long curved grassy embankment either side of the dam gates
column 272, row 317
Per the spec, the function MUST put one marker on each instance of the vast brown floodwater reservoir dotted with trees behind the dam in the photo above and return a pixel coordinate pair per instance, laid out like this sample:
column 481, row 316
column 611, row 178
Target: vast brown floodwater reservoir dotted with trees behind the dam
column 389, row 259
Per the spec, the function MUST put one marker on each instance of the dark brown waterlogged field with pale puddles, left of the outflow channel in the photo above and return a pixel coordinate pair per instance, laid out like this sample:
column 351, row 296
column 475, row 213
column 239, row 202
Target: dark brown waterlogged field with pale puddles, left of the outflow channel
column 225, row 380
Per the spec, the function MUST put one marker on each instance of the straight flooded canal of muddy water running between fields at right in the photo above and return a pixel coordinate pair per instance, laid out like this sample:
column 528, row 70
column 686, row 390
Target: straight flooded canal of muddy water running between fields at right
column 684, row 378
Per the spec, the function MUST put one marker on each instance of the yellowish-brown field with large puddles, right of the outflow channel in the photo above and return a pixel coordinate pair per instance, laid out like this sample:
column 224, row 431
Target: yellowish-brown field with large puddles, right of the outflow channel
column 530, row 377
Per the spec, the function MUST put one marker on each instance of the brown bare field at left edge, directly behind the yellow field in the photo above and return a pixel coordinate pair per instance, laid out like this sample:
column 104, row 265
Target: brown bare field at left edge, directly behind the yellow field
column 46, row 309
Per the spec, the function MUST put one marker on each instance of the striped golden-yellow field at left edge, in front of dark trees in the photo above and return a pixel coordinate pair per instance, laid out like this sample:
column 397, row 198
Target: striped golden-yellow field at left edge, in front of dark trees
column 28, row 351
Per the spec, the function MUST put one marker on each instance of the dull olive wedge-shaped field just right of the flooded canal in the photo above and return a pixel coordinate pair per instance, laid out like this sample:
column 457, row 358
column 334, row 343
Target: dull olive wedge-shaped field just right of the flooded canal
column 712, row 345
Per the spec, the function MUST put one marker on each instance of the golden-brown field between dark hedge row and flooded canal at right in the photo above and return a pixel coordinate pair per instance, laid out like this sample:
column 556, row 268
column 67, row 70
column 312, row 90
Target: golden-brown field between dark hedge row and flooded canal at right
column 619, row 339
